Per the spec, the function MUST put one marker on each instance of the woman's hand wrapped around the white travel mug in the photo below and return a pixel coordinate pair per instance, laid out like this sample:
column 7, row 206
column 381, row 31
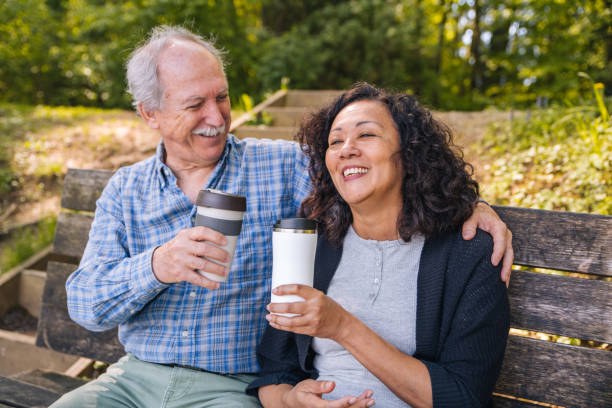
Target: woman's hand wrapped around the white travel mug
column 319, row 315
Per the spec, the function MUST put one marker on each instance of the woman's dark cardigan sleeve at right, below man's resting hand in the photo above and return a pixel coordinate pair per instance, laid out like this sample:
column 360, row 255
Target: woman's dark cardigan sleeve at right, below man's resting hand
column 472, row 351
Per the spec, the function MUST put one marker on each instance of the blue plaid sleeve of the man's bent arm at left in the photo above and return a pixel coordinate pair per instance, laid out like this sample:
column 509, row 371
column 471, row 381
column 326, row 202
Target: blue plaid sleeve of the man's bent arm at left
column 110, row 285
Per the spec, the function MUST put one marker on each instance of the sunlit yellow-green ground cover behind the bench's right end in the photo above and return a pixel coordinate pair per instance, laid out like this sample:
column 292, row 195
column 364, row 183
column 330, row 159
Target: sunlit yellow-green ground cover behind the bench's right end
column 557, row 159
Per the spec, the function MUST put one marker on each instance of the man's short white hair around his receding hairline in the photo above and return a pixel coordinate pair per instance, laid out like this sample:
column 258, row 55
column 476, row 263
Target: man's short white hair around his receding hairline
column 142, row 66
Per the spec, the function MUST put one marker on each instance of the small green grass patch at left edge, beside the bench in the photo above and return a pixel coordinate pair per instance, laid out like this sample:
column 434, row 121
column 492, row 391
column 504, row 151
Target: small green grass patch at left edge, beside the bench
column 26, row 242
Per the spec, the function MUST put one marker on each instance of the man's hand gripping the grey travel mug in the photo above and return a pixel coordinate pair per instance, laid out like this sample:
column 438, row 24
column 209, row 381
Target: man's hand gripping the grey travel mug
column 178, row 259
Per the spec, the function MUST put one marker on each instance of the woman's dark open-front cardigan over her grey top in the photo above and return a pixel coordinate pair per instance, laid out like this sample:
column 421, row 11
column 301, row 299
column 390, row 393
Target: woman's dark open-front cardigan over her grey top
column 461, row 329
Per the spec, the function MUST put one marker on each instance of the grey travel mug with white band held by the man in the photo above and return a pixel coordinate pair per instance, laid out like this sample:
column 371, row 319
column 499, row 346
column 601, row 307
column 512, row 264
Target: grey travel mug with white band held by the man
column 221, row 212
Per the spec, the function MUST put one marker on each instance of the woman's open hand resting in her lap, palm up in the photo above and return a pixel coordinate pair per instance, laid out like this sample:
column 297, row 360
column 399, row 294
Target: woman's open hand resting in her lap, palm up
column 308, row 393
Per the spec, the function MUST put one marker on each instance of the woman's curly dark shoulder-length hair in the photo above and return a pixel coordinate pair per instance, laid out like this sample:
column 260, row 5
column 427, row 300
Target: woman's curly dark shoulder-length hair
column 438, row 191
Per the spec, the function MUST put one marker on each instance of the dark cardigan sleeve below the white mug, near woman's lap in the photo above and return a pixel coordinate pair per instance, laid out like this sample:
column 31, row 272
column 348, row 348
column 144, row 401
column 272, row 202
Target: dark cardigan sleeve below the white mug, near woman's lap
column 277, row 355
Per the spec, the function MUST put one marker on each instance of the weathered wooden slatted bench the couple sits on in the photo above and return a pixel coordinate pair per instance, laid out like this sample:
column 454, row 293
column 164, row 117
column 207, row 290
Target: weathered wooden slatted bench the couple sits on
column 577, row 306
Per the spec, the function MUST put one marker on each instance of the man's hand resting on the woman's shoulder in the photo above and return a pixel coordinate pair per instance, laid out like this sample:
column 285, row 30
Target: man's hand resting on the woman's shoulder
column 487, row 220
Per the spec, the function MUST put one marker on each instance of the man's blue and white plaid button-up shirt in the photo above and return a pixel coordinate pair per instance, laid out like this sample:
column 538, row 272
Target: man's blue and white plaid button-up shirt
column 141, row 208
